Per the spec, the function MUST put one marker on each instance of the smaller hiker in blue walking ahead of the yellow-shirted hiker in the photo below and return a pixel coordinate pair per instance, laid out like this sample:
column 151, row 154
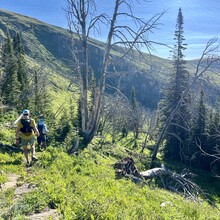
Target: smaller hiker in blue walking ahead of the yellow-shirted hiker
column 42, row 128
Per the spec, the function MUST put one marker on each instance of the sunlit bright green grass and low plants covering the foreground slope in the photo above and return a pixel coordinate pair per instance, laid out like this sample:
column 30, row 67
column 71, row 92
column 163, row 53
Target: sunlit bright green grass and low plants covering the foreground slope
column 84, row 187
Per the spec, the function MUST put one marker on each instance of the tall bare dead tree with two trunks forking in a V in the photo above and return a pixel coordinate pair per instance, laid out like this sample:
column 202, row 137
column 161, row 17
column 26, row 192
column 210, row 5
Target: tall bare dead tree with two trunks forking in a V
column 131, row 35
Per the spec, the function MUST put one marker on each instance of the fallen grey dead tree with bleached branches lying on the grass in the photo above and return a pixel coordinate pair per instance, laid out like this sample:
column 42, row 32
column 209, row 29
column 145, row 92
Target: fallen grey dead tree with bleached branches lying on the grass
column 174, row 182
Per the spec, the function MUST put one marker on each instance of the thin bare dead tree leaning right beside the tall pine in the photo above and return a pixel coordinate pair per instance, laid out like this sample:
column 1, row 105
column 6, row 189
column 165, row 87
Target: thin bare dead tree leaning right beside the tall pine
column 207, row 59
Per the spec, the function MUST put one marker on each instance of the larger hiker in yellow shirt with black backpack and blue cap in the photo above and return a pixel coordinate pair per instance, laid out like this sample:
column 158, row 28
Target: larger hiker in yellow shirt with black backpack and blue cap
column 25, row 134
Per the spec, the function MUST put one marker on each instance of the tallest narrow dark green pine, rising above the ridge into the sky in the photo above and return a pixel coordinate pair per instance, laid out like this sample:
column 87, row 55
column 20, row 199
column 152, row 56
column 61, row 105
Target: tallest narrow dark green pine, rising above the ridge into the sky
column 176, row 135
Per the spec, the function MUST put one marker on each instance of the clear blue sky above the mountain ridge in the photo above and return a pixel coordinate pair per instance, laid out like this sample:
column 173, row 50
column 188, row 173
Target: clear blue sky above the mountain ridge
column 201, row 19
